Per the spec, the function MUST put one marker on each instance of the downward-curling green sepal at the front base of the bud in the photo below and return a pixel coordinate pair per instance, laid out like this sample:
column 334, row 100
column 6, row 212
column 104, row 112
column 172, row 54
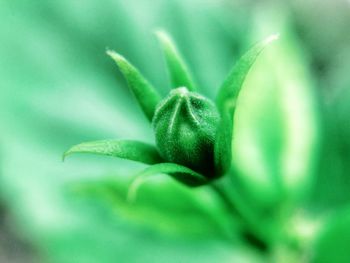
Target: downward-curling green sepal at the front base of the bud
column 179, row 172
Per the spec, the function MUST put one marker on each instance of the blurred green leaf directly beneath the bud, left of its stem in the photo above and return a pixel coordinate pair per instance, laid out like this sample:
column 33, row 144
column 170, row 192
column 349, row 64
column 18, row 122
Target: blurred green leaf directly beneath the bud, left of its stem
column 159, row 207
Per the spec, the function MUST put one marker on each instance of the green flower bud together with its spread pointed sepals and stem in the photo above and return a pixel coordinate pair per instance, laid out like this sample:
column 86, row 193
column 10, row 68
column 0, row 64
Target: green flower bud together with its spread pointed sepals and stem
column 193, row 134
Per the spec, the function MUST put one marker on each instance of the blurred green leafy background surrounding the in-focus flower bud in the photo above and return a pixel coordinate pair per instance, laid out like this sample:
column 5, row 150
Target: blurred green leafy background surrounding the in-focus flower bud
column 58, row 88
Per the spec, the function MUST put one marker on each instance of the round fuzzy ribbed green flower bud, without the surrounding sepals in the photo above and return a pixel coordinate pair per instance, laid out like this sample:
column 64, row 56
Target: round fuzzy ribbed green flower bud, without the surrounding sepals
column 185, row 125
